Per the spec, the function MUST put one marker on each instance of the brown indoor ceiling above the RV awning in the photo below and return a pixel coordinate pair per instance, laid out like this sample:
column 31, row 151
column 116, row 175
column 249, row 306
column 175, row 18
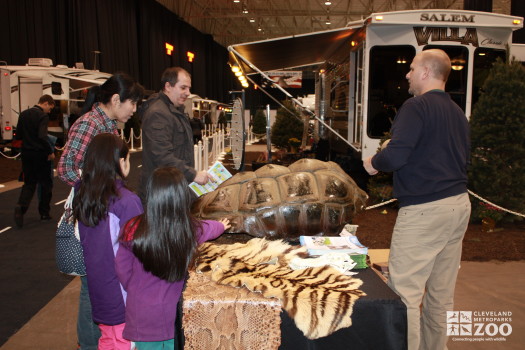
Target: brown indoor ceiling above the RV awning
column 240, row 21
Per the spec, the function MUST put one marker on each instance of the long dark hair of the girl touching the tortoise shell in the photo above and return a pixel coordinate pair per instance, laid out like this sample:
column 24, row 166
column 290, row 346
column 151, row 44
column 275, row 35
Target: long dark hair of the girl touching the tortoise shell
column 165, row 240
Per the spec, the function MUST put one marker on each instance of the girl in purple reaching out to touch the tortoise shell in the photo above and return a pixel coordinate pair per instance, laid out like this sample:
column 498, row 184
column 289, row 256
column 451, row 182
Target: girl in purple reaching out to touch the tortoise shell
column 156, row 250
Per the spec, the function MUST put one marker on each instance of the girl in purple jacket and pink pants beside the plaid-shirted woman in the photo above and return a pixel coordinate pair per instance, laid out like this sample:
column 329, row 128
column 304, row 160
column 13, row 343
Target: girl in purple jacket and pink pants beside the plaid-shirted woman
column 102, row 205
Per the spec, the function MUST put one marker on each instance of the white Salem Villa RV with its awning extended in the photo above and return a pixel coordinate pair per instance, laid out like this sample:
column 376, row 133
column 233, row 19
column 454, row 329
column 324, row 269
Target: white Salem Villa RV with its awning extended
column 361, row 69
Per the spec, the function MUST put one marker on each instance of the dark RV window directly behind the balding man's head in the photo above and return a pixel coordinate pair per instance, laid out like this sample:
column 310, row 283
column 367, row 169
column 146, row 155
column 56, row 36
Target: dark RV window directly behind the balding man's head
column 457, row 80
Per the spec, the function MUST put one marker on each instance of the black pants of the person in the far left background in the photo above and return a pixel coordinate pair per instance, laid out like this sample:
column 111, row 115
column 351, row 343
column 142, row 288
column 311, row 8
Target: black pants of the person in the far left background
column 37, row 171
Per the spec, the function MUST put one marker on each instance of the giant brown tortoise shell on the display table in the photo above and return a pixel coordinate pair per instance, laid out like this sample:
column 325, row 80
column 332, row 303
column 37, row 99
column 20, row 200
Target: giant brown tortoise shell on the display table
column 309, row 197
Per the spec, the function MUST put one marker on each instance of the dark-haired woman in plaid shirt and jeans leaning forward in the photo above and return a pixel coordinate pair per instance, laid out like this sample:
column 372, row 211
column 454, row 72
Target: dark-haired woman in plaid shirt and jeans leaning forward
column 115, row 100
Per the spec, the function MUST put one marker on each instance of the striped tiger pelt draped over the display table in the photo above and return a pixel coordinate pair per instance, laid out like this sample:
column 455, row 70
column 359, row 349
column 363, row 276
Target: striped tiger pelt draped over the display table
column 320, row 300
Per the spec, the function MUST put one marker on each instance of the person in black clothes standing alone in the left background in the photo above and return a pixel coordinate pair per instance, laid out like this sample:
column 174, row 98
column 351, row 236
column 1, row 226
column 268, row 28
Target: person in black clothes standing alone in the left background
column 37, row 157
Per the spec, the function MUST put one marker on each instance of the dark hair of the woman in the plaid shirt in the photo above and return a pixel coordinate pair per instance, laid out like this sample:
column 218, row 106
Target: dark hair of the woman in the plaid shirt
column 119, row 83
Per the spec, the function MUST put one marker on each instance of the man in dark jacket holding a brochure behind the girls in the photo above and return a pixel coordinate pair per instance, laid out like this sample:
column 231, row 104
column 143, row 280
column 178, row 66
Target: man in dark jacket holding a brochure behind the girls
column 167, row 139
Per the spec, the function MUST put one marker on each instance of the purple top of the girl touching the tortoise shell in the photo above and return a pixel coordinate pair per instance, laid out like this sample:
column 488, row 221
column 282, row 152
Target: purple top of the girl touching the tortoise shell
column 151, row 305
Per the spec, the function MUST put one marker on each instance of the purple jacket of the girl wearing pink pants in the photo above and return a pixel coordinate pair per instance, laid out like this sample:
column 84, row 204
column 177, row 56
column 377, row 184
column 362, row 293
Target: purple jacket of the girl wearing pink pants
column 100, row 244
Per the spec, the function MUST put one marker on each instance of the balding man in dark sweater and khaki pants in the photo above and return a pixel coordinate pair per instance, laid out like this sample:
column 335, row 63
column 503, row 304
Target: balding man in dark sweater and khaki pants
column 428, row 153
